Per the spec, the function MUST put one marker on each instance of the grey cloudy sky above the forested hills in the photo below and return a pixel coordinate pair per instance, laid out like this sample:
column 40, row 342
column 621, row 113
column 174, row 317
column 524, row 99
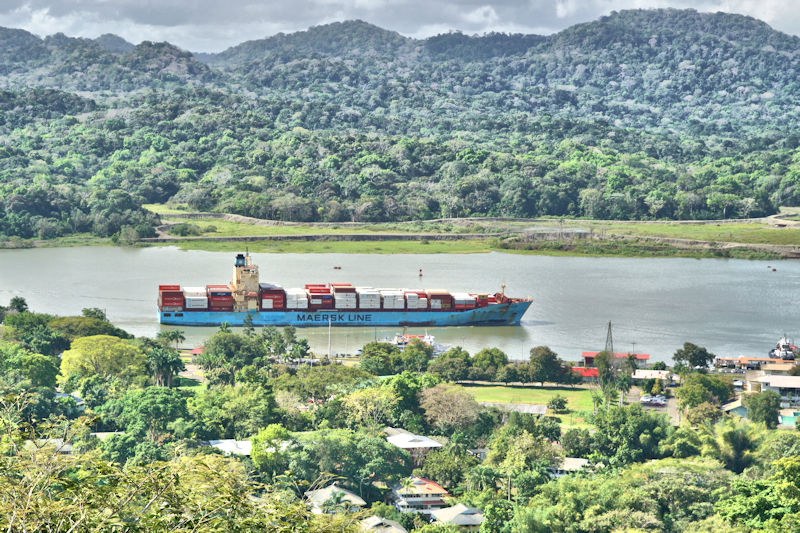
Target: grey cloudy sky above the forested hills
column 212, row 25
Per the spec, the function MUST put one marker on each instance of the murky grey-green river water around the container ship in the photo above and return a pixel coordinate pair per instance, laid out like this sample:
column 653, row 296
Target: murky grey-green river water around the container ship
column 733, row 307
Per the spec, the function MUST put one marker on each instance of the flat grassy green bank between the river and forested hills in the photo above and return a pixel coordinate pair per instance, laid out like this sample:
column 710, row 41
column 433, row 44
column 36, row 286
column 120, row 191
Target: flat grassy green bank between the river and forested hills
column 767, row 238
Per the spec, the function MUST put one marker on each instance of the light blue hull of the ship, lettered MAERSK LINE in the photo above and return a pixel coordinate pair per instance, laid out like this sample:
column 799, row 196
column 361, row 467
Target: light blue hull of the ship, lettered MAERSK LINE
column 507, row 314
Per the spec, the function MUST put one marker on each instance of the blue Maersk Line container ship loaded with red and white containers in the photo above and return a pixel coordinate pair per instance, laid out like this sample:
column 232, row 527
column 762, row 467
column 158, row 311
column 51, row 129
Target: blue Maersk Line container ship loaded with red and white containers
column 337, row 304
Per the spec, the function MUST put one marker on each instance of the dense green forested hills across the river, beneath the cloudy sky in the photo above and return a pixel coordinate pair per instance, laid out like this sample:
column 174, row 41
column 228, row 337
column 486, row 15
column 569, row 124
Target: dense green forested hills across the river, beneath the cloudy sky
column 643, row 114
